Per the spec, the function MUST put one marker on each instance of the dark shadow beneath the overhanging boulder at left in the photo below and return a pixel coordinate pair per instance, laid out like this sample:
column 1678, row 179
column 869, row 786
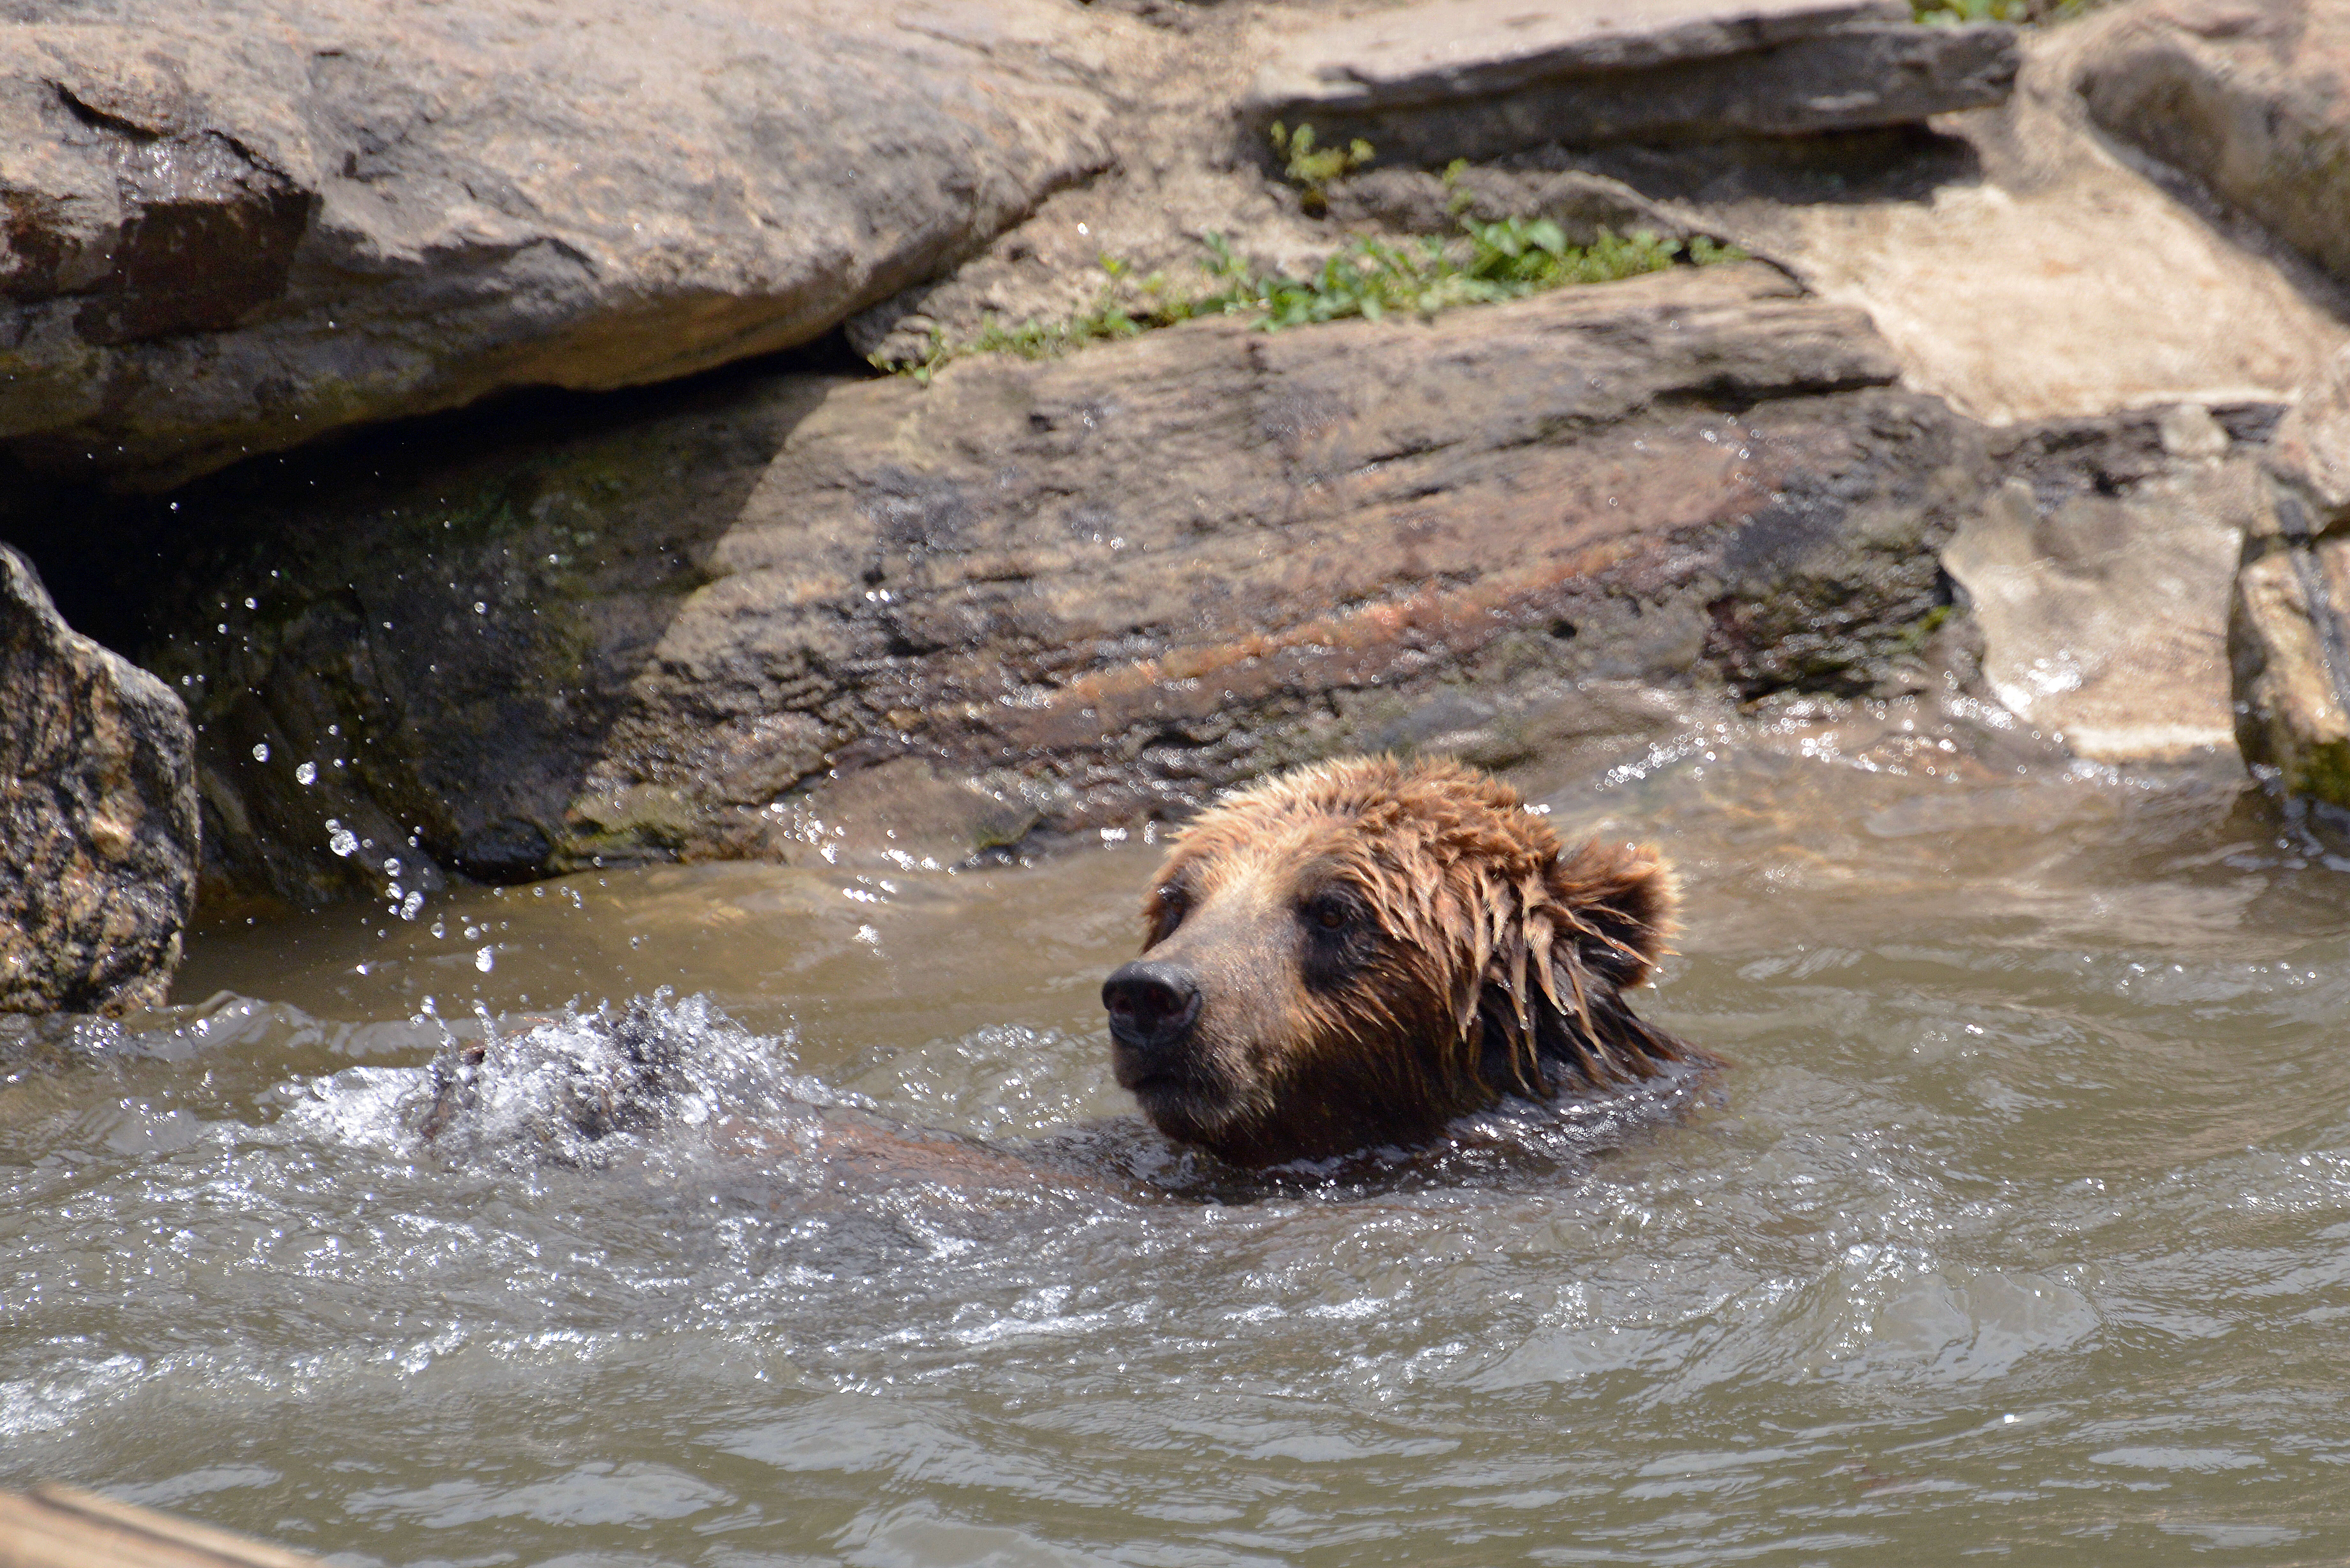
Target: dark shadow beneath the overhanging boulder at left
column 403, row 652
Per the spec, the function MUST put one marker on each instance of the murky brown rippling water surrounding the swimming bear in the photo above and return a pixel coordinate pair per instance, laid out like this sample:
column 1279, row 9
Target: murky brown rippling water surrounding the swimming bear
column 2022, row 1228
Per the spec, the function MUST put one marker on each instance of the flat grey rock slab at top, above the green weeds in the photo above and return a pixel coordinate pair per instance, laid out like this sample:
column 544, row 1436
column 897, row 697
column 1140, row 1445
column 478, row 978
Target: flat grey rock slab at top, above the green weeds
column 1479, row 79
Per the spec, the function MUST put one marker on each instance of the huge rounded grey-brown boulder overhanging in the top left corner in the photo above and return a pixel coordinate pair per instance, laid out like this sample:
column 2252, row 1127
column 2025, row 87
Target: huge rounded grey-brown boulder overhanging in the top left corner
column 236, row 225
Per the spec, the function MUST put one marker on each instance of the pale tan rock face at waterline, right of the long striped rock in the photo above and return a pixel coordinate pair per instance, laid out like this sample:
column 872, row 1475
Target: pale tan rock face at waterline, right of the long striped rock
column 2102, row 572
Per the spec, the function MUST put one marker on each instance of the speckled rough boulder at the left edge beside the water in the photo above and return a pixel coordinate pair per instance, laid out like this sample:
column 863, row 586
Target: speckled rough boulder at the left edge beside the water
column 98, row 817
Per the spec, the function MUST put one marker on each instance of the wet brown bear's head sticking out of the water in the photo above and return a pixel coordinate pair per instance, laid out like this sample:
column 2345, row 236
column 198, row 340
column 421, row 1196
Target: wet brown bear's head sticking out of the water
column 1357, row 953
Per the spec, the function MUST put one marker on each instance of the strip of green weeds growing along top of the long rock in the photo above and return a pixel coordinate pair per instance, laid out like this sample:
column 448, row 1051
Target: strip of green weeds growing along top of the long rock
column 1371, row 279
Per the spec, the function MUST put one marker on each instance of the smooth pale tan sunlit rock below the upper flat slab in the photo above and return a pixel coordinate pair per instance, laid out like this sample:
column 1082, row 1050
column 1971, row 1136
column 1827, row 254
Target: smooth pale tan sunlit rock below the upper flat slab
column 2055, row 281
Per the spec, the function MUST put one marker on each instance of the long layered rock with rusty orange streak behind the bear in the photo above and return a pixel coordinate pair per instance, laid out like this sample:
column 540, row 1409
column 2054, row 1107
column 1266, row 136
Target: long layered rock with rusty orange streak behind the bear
column 1063, row 594
